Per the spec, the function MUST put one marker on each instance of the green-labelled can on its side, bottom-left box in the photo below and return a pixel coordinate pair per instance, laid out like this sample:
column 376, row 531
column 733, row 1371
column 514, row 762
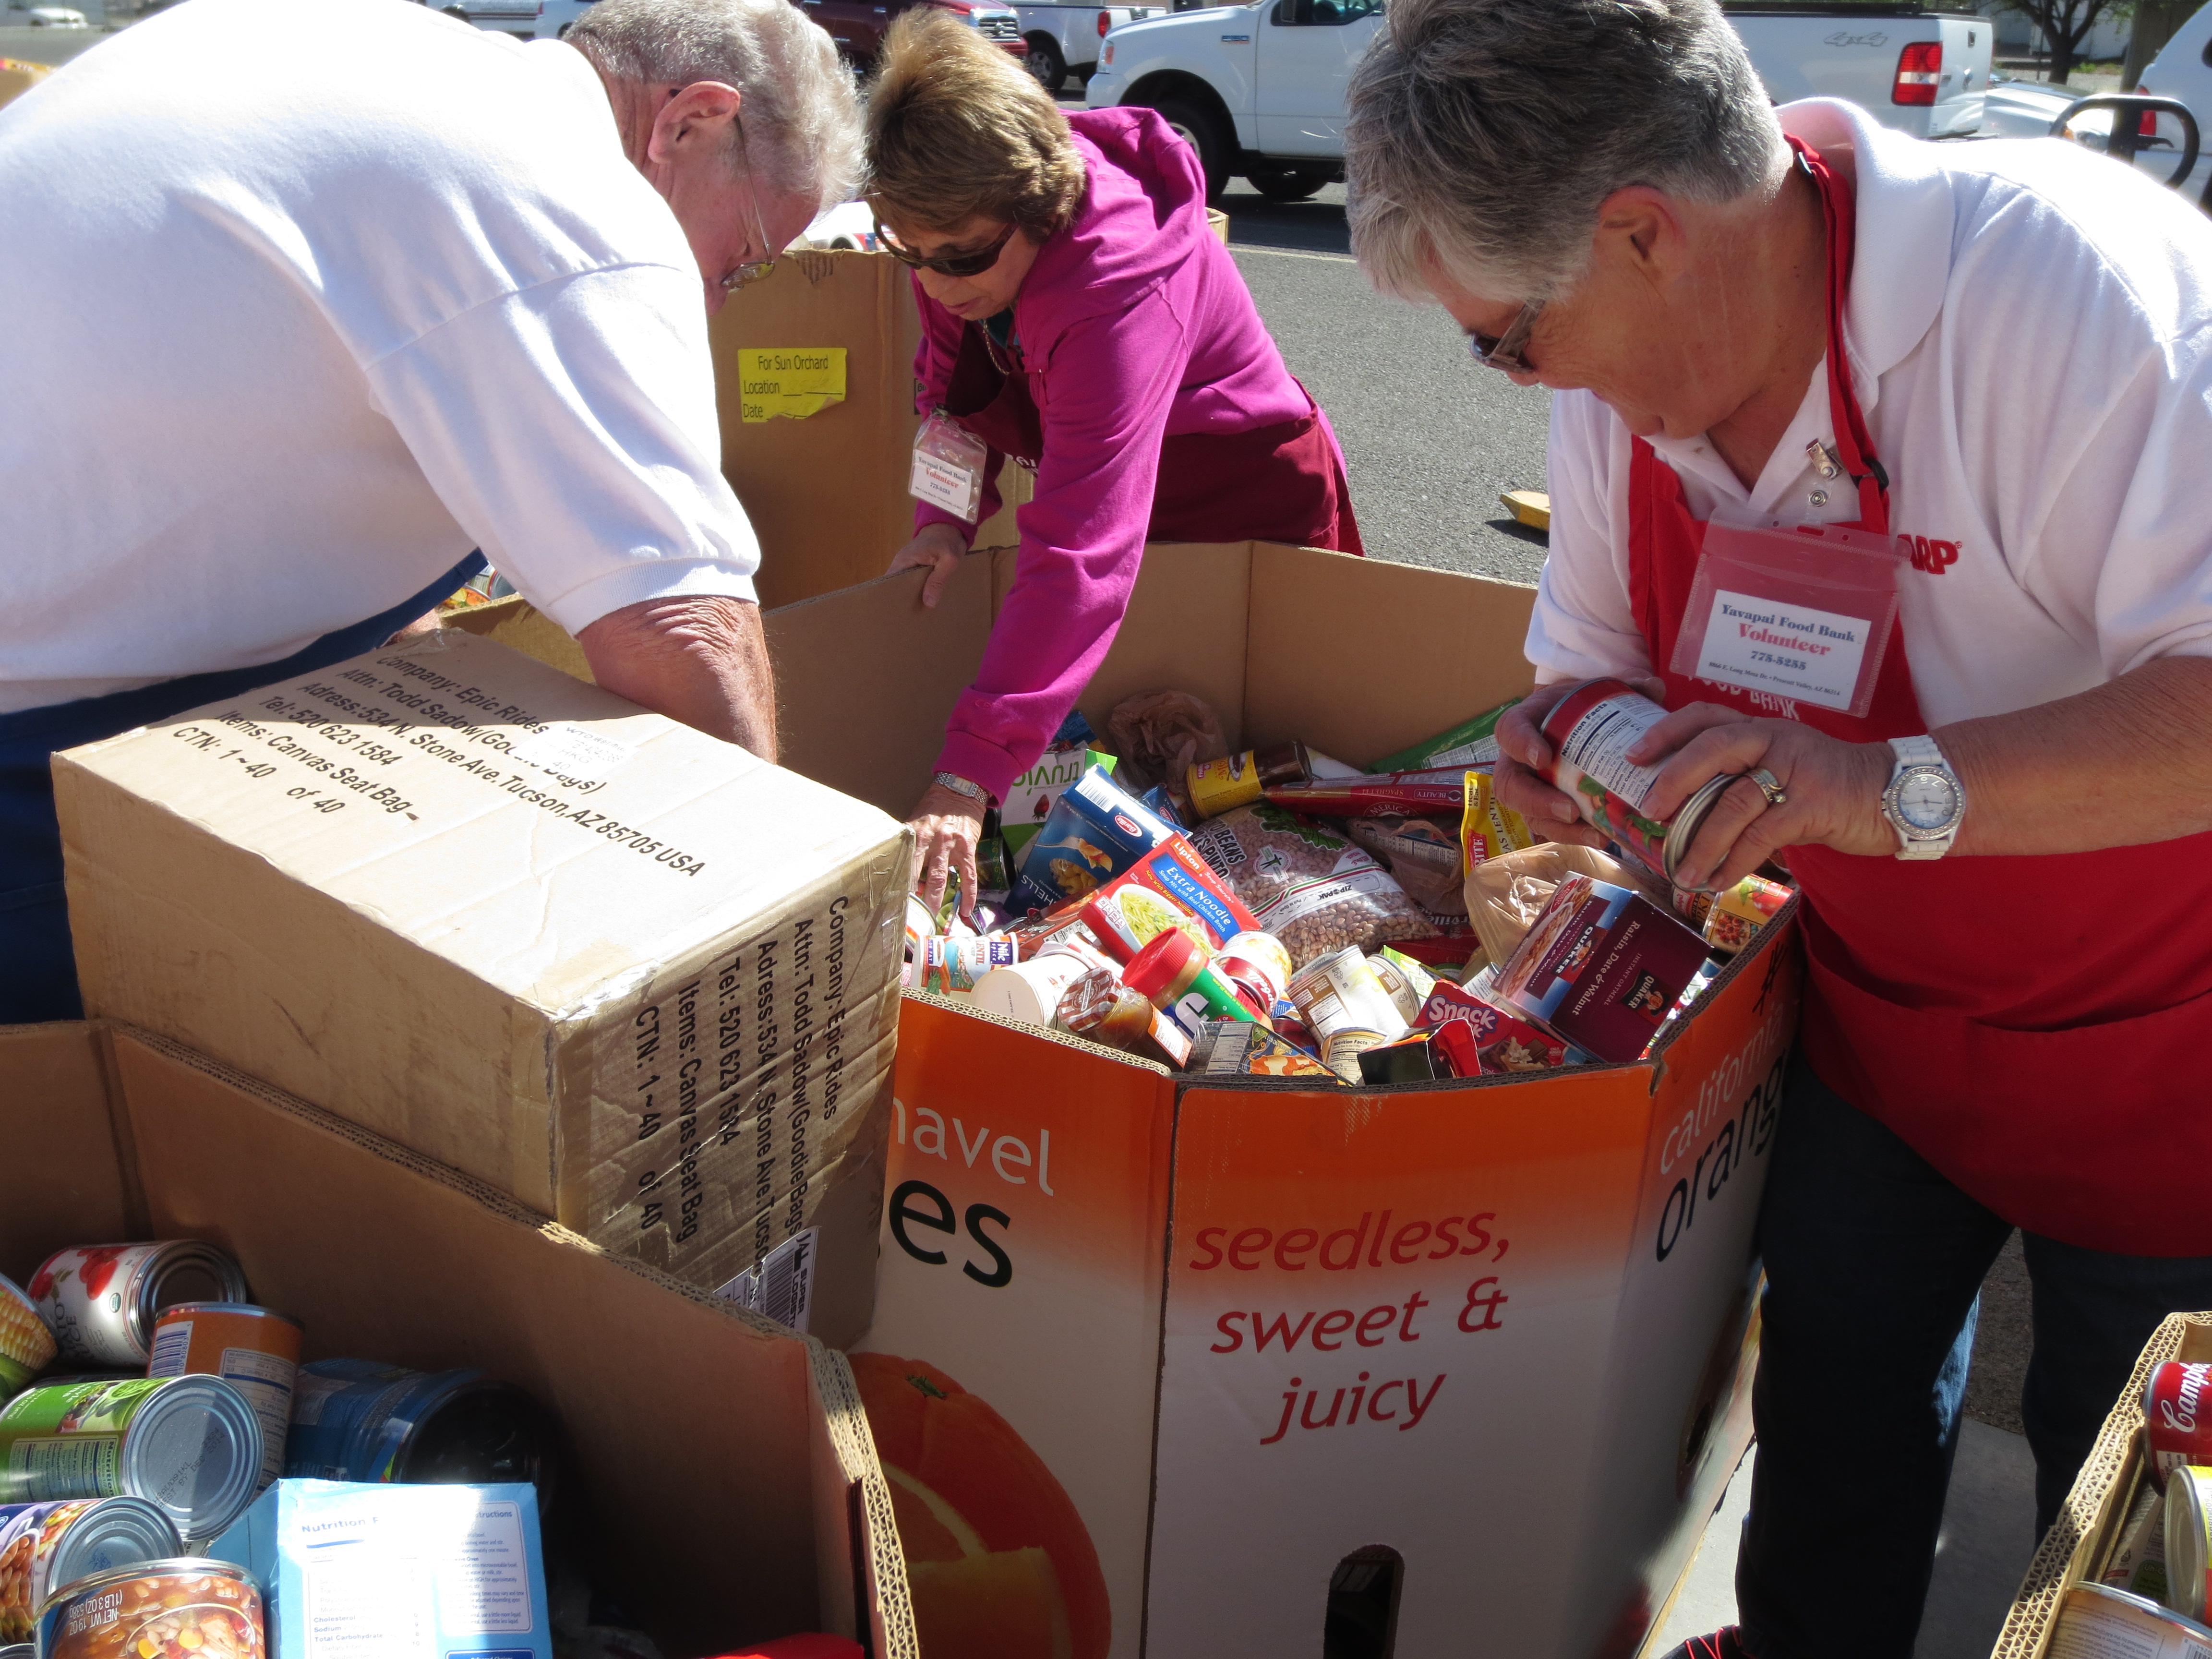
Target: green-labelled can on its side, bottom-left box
column 191, row 1446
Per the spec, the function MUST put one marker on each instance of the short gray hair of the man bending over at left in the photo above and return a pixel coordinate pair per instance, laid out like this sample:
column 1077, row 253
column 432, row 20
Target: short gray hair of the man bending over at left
column 802, row 116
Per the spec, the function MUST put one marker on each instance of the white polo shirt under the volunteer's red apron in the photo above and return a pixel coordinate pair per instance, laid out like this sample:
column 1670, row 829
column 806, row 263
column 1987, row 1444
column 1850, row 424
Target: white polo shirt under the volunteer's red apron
column 2032, row 344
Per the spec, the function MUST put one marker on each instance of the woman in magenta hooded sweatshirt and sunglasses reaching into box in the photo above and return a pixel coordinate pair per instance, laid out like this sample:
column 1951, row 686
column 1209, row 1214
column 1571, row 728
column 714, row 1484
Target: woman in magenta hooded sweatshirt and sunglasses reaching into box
column 1081, row 317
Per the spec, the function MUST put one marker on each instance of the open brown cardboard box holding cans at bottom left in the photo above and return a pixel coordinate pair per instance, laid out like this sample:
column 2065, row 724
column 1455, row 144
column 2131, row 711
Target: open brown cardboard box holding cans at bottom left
column 720, row 1481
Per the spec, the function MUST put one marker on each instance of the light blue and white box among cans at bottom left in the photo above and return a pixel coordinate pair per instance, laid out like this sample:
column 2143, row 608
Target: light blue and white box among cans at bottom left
column 351, row 1567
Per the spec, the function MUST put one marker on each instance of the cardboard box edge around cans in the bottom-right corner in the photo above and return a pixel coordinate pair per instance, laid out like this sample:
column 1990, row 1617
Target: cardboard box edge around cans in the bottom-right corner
column 2083, row 1538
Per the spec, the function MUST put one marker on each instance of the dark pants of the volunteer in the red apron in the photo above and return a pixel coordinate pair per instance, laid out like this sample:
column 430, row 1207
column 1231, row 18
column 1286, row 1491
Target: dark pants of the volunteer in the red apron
column 1875, row 1269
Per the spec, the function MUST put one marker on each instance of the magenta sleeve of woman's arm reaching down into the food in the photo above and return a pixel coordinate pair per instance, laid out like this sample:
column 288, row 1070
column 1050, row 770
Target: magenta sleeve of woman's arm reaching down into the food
column 1105, row 399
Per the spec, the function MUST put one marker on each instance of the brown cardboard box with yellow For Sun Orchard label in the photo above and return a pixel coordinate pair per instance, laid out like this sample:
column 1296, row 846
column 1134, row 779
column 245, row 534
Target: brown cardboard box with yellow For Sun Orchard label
column 828, row 492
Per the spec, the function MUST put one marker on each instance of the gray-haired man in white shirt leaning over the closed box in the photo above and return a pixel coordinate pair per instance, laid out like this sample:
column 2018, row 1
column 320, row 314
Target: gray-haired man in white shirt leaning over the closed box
column 313, row 300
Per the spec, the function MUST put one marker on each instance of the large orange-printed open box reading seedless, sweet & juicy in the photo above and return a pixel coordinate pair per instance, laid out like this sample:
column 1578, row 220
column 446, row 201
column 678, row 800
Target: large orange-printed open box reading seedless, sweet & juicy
column 1167, row 1288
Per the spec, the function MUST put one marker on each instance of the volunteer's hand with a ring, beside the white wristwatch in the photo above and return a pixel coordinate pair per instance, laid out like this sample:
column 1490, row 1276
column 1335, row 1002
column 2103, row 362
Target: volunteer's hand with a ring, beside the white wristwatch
column 1835, row 791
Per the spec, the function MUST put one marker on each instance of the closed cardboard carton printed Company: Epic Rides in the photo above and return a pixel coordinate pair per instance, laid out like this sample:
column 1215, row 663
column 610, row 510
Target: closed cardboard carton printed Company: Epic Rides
column 629, row 974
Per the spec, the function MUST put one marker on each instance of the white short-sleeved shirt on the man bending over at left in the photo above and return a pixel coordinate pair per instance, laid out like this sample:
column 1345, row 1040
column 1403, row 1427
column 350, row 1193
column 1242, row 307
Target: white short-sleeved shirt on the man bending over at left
column 304, row 302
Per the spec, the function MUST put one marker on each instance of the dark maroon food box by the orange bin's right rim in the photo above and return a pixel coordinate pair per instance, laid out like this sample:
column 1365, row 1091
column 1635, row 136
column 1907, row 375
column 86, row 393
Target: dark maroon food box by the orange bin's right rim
column 1603, row 968
